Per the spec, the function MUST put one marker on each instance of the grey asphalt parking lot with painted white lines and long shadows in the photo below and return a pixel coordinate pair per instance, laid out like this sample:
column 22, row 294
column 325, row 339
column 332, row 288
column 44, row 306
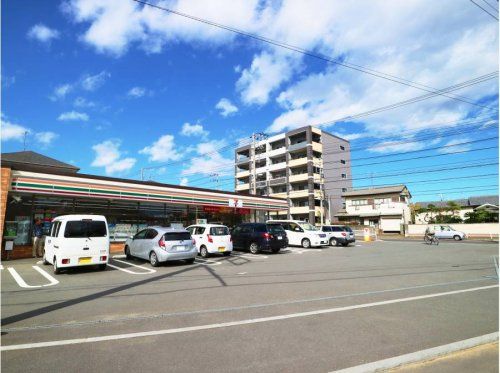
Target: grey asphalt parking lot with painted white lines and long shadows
column 315, row 310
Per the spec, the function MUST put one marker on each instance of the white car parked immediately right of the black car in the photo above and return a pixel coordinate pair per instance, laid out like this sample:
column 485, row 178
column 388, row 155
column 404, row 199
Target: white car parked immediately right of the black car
column 302, row 233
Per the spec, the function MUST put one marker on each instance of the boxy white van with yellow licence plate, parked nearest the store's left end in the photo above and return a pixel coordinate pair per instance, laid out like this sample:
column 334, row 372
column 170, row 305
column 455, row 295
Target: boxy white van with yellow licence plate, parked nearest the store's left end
column 77, row 240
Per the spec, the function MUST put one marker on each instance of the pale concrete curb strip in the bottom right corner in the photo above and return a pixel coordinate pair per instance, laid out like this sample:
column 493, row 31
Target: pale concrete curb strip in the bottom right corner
column 422, row 355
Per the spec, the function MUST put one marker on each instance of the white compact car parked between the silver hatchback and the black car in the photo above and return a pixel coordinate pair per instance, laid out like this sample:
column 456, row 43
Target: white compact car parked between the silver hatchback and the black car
column 211, row 239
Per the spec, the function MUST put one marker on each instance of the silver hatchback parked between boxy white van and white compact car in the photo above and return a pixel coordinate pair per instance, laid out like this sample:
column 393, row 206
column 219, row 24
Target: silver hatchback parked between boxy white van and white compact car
column 159, row 244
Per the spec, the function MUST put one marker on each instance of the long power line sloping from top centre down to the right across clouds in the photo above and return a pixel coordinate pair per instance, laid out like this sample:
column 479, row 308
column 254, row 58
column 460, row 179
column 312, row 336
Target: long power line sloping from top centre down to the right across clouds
column 309, row 53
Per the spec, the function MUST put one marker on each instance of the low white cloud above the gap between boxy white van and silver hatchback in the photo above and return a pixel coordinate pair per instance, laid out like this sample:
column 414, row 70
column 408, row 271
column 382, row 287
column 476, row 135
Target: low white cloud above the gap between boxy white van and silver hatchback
column 109, row 156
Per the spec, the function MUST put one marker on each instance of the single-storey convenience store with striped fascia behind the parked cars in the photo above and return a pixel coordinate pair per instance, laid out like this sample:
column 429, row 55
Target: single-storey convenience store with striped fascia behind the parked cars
column 35, row 186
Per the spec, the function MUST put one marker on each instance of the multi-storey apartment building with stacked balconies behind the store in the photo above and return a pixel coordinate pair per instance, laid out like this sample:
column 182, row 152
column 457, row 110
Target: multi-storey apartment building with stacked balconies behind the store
column 309, row 167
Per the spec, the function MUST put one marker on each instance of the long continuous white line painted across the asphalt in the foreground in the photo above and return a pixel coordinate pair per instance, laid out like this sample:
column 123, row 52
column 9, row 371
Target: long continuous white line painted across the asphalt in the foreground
column 232, row 323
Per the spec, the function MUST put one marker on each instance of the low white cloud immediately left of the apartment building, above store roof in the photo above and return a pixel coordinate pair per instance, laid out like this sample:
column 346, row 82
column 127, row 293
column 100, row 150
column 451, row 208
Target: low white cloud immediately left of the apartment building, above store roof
column 209, row 160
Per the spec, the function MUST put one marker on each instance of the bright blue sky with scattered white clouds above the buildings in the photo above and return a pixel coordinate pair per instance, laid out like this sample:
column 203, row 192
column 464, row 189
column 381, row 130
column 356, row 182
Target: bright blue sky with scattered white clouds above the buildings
column 113, row 87
